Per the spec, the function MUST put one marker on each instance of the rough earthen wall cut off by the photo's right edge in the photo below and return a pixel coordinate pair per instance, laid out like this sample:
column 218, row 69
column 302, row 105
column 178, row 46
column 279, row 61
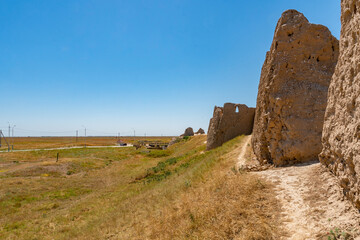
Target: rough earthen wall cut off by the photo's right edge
column 341, row 133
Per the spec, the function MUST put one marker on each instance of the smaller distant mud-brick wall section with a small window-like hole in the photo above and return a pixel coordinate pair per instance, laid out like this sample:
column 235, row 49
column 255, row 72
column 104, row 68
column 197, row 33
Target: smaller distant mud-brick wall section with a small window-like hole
column 228, row 122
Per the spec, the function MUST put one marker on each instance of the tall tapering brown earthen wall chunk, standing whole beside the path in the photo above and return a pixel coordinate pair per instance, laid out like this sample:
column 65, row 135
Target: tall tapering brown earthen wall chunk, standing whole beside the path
column 293, row 90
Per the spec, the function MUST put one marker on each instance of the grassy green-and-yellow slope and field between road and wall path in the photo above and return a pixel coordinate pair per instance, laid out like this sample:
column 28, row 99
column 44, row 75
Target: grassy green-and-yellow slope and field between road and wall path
column 122, row 193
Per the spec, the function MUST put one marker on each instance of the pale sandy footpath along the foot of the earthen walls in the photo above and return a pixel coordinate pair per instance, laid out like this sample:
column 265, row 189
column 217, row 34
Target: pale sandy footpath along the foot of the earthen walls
column 312, row 201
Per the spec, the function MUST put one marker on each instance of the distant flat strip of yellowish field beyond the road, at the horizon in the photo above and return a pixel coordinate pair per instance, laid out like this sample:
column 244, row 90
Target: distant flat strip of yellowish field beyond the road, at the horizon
column 58, row 142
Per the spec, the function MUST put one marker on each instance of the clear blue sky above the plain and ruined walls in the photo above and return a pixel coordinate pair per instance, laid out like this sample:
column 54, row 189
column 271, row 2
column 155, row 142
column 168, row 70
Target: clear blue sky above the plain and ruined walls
column 156, row 66
